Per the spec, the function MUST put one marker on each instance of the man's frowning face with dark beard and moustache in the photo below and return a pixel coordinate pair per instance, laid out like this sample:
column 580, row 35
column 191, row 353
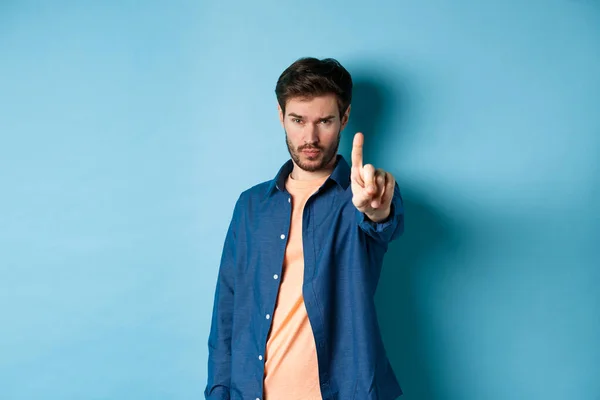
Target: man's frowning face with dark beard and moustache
column 313, row 130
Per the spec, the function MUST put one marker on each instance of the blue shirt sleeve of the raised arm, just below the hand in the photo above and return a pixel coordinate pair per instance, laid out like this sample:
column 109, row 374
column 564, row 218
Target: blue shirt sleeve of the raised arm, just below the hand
column 389, row 229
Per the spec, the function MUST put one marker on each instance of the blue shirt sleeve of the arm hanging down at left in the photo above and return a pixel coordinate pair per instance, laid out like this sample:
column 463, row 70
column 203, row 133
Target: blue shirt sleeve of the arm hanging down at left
column 219, row 341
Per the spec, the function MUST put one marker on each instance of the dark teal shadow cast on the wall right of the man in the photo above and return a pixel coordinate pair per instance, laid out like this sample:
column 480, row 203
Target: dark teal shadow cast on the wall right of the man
column 407, row 332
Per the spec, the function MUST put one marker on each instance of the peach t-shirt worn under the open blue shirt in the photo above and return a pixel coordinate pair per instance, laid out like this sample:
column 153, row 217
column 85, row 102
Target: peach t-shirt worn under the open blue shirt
column 291, row 370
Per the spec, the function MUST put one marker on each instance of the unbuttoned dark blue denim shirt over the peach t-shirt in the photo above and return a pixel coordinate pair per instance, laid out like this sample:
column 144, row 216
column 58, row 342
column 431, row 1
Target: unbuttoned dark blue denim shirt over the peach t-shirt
column 343, row 255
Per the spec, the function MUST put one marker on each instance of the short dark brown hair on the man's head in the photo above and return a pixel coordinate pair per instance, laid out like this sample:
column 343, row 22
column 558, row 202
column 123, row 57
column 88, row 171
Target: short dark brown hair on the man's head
column 310, row 77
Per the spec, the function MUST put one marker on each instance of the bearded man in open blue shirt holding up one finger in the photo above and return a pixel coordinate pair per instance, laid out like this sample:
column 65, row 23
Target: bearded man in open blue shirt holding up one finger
column 294, row 314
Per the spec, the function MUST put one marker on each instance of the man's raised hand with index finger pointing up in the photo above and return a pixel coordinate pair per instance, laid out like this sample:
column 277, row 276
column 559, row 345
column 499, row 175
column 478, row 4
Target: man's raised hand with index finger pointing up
column 372, row 189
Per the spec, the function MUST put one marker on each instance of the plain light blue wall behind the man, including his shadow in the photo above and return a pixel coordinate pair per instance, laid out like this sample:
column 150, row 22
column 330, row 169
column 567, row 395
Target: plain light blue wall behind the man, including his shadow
column 129, row 128
